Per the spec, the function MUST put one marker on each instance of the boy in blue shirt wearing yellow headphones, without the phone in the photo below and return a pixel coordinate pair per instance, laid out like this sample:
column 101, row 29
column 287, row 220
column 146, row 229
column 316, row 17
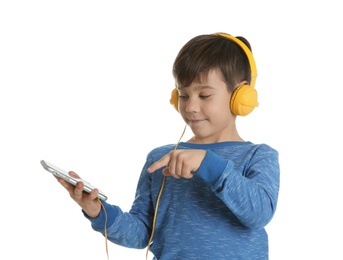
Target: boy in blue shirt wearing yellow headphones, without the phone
column 218, row 192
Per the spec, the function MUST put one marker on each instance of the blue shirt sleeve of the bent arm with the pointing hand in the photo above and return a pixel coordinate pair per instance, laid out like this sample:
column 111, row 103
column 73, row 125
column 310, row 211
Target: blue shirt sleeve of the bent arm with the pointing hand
column 250, row 192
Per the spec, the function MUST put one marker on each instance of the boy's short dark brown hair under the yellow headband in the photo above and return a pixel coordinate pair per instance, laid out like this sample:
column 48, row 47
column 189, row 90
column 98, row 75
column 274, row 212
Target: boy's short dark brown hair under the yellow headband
column 206, row 52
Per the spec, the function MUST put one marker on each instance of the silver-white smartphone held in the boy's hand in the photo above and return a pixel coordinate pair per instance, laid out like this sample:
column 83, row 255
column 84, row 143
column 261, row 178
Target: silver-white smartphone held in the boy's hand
column 87, row 187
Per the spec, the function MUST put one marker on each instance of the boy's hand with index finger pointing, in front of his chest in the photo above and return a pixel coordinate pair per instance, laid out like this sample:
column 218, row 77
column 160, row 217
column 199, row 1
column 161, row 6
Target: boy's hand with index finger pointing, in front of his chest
column 179, row 163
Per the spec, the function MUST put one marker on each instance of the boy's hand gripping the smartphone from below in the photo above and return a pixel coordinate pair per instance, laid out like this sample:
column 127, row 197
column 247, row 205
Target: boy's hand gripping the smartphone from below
column 87, row 201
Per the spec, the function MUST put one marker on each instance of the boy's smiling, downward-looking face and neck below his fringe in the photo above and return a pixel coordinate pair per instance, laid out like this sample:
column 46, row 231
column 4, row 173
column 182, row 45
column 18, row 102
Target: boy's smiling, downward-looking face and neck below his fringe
column 205, row 107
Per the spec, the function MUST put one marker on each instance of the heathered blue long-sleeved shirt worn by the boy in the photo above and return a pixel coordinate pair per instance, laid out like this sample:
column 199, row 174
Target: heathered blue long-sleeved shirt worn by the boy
column 220, row 213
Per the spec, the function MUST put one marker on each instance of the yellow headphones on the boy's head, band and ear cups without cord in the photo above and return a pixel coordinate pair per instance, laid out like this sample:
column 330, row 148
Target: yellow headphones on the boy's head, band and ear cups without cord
column 244, row 98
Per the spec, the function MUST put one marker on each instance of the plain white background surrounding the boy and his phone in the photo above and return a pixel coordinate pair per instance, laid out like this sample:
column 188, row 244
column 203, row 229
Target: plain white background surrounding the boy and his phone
column 86, row 86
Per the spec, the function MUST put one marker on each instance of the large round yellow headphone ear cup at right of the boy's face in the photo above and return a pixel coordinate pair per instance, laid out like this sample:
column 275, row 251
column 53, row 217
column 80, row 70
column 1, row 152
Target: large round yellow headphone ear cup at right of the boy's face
column 243, row 100
